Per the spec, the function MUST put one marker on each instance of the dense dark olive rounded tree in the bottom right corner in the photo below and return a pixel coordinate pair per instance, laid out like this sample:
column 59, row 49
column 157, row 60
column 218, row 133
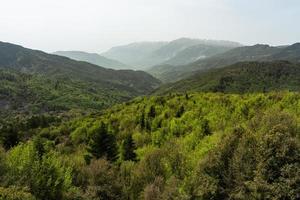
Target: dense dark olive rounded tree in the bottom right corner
column 278, row 168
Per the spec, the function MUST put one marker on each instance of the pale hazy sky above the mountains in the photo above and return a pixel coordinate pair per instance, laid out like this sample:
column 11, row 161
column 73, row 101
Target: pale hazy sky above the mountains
column 96, row 25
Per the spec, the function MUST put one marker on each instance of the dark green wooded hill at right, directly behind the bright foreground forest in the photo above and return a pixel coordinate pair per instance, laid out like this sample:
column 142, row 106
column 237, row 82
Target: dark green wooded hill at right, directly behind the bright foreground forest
column 242, row 77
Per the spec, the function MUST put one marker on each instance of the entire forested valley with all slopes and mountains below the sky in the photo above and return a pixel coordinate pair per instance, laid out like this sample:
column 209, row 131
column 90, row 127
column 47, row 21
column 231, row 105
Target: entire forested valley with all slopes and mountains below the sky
column 221, row 123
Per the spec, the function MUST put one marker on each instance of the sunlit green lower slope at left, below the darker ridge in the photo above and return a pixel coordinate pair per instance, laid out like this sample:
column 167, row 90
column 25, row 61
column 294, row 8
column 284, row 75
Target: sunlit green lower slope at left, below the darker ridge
column 30, row 94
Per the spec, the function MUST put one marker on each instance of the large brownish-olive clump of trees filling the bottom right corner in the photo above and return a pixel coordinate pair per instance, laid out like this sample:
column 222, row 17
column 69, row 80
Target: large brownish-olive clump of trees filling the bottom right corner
column 258, row 165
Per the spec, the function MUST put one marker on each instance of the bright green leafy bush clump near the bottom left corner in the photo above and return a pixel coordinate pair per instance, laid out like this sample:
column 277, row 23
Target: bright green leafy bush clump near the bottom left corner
column 45, row 176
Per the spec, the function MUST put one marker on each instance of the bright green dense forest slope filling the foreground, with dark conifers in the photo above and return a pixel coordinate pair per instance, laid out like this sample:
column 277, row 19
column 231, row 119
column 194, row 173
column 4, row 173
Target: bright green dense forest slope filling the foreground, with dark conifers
column 177, row 146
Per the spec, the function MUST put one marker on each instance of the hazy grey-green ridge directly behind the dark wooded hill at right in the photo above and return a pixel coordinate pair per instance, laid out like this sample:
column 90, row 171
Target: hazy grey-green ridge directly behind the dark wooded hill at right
column 258, row 52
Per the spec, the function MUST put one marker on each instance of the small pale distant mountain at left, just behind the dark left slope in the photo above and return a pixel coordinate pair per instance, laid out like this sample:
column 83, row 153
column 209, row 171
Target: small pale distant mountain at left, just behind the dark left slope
column 93, row 58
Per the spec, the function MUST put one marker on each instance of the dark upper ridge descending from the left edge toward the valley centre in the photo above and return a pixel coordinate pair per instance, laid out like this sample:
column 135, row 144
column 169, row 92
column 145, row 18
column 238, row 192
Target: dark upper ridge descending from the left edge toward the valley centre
column 31, row 61
